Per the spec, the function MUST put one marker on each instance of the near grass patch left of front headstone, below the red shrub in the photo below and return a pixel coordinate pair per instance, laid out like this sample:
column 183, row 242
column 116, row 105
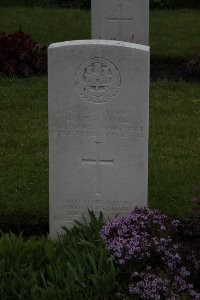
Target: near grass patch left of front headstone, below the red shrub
column 23, row 149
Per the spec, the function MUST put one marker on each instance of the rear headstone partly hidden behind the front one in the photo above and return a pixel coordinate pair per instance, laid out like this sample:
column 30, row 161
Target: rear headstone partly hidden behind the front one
column 123, row 20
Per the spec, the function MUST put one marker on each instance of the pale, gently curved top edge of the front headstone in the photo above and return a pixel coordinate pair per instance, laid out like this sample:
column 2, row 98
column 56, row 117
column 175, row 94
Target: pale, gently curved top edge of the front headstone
column 100, row 42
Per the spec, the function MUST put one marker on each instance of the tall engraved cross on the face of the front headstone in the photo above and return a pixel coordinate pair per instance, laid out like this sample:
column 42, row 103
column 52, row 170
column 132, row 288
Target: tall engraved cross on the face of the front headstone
column 97, row 162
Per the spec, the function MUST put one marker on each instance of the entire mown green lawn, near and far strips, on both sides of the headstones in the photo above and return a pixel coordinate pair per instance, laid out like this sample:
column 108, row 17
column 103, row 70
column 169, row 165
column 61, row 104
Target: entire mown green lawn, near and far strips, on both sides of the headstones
column 174, row 116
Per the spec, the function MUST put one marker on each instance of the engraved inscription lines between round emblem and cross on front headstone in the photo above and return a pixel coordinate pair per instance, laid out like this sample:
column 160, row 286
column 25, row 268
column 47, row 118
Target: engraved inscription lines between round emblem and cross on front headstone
column 106, row 123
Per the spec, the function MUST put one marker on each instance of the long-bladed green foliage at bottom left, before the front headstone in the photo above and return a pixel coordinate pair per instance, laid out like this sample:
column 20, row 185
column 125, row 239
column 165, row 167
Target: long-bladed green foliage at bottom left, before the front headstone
column 76, row 267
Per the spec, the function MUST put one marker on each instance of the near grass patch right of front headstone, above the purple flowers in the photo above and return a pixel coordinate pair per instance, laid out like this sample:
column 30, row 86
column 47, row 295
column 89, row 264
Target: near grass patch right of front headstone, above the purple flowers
column 174, row 145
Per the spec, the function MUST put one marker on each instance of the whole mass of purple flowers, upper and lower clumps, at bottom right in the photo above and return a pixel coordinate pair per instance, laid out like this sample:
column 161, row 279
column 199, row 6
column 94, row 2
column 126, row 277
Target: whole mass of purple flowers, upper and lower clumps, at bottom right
column 144, row 241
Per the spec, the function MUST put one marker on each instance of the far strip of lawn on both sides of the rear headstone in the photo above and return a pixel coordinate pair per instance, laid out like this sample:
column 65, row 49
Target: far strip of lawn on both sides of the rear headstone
column 173, row 34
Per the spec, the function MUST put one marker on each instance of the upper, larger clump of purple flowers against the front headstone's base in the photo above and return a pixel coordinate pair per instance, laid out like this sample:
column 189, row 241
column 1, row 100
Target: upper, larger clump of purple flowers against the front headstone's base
column 136, row 235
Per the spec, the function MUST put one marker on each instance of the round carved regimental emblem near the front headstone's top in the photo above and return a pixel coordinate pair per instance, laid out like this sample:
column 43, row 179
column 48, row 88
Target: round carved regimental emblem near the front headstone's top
column 98, row 80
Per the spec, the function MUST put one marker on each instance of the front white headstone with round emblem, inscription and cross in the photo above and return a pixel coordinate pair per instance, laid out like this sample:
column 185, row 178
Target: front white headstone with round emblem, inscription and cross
column 98, row 129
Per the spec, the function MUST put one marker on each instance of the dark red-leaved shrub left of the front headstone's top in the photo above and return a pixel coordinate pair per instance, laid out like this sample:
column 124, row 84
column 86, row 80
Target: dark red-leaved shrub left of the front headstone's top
column 19, row 55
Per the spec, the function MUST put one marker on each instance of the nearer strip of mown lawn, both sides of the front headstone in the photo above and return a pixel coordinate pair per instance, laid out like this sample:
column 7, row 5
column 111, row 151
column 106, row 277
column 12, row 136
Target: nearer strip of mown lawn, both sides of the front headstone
column 173, row 149
